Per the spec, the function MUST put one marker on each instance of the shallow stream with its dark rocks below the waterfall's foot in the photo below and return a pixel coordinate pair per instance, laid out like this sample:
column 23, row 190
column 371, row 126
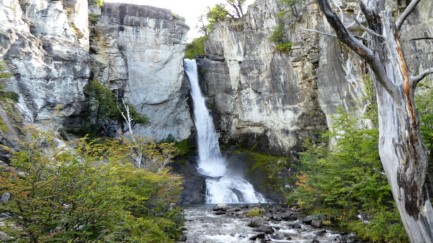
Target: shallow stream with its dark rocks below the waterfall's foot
column 225, row 224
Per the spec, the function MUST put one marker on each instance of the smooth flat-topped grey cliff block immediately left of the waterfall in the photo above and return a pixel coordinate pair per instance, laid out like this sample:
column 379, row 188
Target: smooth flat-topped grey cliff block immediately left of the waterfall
column 138, row 51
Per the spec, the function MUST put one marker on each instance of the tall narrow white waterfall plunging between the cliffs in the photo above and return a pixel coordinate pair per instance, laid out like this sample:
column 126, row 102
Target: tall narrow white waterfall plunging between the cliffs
column 222, row 185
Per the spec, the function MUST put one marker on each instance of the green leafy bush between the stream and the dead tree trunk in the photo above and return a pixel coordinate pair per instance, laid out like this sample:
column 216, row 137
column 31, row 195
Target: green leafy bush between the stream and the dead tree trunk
column 347, row 181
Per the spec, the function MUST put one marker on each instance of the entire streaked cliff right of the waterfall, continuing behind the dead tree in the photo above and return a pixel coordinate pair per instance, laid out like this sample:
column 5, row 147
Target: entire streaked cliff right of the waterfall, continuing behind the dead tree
column 267, row 99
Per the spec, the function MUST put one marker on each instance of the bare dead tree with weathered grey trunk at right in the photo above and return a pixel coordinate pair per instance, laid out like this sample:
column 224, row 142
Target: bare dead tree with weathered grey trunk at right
column 401, row 150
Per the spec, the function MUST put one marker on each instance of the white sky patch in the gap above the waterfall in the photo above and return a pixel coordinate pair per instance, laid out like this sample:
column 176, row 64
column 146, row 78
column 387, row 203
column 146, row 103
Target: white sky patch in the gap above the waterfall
column 189, row 9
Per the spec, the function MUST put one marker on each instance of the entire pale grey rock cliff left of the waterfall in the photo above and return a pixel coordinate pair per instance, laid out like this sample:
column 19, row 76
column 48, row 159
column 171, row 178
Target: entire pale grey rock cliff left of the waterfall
column 135, row 50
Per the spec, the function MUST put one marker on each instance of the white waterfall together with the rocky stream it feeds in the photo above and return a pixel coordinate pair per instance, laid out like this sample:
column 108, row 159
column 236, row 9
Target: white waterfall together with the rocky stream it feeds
column 215, row 221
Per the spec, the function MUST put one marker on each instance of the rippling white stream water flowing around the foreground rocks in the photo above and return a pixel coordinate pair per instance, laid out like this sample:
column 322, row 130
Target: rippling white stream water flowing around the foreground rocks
column 204, row 225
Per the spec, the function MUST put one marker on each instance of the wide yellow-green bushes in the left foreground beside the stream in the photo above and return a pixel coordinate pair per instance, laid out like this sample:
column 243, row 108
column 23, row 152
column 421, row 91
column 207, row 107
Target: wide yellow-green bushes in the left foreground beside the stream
column 92, row 193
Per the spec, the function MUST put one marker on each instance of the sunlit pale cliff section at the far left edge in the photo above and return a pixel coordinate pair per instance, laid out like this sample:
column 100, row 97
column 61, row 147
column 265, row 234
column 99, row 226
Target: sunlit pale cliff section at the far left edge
column 43, row 43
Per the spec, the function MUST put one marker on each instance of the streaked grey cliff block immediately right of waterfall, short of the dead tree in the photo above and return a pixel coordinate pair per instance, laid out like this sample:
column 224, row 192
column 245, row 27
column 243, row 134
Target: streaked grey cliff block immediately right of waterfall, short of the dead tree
column 264, row 98
